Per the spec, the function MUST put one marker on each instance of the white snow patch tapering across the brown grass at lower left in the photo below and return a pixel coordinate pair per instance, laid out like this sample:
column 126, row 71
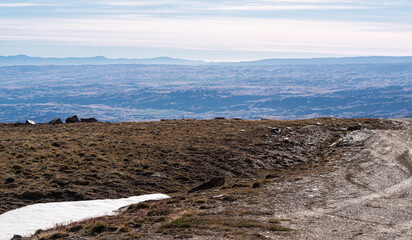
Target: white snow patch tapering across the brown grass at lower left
column 26, row 220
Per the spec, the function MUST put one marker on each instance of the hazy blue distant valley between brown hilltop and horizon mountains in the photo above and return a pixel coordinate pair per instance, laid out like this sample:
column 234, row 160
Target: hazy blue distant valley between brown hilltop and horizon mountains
column 147, row 92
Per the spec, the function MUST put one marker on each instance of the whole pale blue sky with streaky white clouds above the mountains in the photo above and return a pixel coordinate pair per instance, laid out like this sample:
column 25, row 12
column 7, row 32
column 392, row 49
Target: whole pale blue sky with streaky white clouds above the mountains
column 224, row 30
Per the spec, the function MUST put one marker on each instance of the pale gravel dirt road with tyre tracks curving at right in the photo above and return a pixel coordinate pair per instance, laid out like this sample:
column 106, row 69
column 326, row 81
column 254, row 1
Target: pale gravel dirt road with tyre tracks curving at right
column 367, row 196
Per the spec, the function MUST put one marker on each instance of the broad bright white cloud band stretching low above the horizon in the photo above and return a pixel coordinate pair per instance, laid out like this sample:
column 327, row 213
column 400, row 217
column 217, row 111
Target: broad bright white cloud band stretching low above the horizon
column 225, row 34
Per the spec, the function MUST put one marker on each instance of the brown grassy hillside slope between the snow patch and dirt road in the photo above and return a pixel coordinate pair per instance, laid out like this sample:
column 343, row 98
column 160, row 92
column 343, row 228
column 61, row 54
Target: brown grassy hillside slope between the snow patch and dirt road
column 264, row 162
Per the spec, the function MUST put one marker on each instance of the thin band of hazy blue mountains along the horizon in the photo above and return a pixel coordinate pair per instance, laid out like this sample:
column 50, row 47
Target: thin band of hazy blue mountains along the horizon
column 19, row 60
